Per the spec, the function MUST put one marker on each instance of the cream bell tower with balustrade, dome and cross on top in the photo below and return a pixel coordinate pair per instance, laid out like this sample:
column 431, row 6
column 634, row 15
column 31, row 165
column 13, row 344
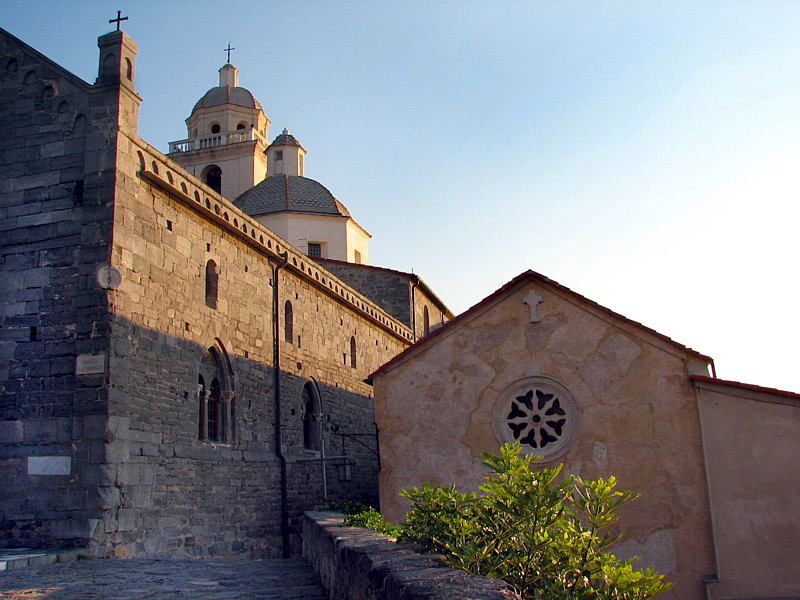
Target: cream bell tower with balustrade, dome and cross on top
column 227, row 138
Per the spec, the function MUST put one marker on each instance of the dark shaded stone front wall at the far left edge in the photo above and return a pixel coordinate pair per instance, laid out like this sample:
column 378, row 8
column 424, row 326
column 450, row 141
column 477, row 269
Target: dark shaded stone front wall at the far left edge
column 57, row 156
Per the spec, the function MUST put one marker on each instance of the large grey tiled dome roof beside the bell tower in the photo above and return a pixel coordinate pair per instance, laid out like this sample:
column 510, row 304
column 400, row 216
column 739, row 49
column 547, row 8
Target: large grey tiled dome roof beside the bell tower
column 290, row 193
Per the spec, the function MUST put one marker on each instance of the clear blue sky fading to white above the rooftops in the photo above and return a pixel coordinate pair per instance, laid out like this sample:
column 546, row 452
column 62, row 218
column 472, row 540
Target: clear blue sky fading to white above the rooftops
column 644, row 154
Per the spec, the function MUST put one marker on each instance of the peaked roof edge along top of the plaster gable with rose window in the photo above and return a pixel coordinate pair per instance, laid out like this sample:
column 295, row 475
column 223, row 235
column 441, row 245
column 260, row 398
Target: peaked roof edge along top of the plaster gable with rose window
column 503, row 290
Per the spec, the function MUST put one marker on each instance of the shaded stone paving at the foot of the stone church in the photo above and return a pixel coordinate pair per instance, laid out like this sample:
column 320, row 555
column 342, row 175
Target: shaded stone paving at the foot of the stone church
column 127, row 579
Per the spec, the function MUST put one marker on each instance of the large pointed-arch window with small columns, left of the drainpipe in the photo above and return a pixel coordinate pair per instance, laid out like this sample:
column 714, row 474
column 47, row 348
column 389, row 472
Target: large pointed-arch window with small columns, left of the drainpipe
column 215, row 399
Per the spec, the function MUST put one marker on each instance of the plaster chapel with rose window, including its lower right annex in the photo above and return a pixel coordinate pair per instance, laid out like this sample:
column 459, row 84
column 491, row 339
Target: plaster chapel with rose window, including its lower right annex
column 713, row 461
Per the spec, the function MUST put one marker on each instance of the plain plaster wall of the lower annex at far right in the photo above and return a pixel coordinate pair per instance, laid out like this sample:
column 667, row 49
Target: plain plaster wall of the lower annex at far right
column 752, row 441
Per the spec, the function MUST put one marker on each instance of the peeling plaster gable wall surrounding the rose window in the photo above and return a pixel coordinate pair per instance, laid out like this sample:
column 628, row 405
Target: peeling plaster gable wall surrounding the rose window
column 639, row 418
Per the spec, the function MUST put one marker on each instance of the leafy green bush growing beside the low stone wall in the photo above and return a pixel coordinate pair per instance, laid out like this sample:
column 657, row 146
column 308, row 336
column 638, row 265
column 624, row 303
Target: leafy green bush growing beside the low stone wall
column 547, row 539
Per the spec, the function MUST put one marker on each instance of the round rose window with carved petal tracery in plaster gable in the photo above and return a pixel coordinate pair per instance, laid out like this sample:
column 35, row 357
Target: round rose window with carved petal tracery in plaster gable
column 539, row 413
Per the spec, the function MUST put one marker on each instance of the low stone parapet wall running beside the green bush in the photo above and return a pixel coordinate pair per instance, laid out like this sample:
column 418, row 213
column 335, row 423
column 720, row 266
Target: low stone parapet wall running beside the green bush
column 359, row 564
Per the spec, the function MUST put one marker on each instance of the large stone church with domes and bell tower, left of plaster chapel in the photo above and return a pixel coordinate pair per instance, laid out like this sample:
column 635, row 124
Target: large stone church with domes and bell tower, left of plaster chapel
column 185, row 337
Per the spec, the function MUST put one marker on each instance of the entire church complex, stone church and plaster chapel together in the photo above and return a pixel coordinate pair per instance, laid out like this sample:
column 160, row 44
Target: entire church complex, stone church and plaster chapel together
column 195, row 349
